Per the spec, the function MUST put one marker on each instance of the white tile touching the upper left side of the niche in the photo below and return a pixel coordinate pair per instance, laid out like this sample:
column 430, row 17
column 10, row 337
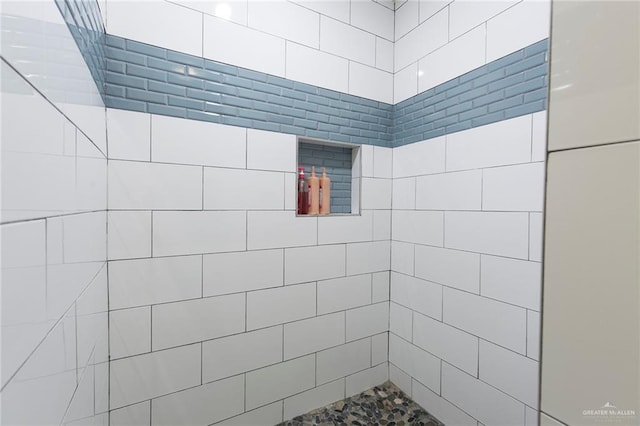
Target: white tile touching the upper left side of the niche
column 271, row 151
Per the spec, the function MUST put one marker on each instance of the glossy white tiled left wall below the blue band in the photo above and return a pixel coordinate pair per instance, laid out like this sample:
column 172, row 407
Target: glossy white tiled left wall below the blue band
column 53, row 226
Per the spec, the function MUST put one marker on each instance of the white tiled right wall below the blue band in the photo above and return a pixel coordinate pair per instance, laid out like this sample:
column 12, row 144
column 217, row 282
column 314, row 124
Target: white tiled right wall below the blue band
column 465, row 289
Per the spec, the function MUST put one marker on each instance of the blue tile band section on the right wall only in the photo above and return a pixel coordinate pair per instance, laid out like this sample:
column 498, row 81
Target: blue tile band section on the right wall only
column 508, row 87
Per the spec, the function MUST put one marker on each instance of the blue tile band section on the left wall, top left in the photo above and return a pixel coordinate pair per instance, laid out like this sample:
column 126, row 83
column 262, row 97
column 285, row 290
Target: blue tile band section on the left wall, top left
column 84, row 20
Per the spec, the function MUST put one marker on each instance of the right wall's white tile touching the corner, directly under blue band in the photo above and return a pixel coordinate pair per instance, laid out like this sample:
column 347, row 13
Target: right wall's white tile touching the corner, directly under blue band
column 419, row 158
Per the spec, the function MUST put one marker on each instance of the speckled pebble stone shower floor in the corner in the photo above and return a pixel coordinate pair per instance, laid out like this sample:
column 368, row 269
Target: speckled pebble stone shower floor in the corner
column 381, row 405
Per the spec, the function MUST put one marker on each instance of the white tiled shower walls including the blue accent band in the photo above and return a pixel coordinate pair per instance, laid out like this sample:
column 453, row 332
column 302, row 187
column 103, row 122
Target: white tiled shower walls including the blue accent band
column 153, row 268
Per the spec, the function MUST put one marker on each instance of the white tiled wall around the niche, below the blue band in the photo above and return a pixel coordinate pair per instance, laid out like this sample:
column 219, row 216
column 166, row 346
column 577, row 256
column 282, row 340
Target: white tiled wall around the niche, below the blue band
column 227, row 285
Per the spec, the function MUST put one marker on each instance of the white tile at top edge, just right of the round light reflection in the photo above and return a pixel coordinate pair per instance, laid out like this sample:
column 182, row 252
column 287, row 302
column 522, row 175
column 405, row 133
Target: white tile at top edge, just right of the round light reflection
column 285, row 20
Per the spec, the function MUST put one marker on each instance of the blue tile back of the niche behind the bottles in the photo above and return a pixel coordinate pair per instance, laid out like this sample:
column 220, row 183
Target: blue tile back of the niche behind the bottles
column 337, row 161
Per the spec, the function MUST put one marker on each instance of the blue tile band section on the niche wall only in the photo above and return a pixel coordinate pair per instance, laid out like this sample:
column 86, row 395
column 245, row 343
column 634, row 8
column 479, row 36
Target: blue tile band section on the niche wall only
column 149, row 79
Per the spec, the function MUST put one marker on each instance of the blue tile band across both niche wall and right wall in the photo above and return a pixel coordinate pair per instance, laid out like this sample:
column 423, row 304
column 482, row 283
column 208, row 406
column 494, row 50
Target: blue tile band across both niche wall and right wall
column 145, row 78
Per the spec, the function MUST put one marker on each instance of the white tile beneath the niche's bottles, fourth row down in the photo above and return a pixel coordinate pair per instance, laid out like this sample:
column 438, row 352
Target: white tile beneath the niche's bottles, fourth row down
column 313, row 335
